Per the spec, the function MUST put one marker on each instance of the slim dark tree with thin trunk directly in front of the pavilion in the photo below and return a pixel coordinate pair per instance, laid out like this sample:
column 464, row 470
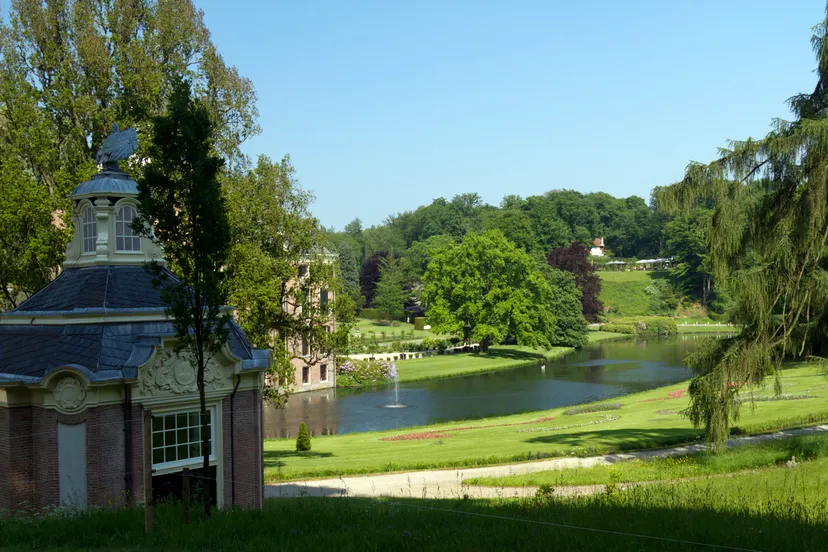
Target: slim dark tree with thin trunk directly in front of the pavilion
column 182, row 209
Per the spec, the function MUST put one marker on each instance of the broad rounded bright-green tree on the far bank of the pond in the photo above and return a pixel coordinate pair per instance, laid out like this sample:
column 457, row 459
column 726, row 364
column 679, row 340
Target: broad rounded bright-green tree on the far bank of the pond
column 485, row 289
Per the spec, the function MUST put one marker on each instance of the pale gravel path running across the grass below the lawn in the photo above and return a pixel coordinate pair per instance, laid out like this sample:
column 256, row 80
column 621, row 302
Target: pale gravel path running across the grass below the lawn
column 449, row 483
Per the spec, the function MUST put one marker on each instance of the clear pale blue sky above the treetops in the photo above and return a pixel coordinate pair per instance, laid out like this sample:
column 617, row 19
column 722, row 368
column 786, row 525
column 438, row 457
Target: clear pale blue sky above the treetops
column 384, row 106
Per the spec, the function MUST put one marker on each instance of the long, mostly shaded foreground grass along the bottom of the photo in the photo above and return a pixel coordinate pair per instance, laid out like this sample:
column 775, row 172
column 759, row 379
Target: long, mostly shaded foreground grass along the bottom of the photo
column 784, row 509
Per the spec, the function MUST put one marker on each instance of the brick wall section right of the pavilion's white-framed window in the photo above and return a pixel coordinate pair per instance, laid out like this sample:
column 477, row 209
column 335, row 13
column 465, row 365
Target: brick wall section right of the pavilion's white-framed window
column 248, row 450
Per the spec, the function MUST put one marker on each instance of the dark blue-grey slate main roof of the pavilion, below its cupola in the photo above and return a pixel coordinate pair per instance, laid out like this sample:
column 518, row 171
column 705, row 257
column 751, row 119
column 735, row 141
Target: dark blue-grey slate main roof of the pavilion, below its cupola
column 105, row 352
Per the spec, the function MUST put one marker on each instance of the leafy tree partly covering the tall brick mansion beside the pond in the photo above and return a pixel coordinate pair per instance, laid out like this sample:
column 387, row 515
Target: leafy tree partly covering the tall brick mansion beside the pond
column 274, row 235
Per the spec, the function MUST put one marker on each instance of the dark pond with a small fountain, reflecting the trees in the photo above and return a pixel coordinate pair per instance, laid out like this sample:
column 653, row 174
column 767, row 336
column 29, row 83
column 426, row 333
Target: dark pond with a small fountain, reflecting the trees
column 599, row 371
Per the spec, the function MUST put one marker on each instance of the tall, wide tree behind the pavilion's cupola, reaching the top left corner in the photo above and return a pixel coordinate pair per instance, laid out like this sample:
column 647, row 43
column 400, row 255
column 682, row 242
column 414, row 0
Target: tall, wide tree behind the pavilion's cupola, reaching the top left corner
column 68, row 70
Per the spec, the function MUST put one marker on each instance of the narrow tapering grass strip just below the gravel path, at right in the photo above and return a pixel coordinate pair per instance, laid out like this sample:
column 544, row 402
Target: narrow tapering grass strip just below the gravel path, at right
column 762, row 455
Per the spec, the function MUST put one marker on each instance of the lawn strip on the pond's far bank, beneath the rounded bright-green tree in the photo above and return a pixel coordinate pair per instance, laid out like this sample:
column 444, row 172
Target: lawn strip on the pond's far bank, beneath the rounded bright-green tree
column 498, row 358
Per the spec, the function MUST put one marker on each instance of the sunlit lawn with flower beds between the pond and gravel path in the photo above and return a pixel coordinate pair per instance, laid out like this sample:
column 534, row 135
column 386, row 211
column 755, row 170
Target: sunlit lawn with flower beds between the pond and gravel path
column 647, row 419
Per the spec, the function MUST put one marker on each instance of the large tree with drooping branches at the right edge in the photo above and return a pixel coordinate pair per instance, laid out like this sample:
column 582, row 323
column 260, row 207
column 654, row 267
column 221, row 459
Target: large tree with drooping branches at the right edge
column 770, row 200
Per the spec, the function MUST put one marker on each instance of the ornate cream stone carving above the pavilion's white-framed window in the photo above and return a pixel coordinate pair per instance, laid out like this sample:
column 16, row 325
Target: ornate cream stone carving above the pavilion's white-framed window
column 174, row 374
